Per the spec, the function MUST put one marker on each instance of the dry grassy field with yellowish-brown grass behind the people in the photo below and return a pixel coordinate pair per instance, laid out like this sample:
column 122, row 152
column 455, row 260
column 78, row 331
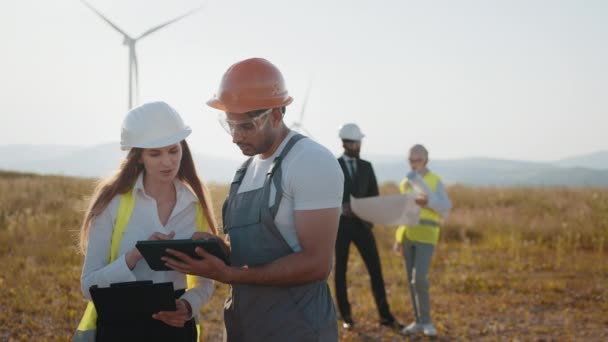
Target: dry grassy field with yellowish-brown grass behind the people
column 513, row 264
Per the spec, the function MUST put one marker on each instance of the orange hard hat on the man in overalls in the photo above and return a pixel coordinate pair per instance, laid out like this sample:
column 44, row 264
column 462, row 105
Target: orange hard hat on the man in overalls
column 252, row 84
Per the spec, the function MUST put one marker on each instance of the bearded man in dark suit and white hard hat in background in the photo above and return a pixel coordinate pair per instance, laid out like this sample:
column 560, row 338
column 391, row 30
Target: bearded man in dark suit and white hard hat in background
column 359, row 181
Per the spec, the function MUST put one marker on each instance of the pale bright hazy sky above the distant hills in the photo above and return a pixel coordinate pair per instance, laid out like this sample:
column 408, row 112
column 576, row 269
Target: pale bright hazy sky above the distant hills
column 507, row 79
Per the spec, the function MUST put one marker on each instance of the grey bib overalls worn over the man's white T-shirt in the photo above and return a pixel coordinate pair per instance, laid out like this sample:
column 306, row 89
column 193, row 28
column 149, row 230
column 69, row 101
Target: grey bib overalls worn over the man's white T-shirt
column 270, row 313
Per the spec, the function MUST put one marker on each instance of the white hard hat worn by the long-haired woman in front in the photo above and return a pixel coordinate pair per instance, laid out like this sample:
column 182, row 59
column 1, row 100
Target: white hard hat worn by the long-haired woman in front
column 152, row 125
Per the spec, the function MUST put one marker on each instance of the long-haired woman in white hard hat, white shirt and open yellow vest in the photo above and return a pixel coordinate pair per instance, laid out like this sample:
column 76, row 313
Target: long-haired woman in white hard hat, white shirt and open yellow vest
column 156, row 194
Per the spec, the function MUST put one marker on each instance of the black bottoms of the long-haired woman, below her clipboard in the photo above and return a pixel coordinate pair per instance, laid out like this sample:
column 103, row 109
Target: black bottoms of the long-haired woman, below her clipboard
column 146, row 330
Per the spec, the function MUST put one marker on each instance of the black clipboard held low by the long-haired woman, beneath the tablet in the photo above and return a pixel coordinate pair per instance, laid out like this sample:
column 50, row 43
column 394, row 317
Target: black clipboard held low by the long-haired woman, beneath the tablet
column 132, row 301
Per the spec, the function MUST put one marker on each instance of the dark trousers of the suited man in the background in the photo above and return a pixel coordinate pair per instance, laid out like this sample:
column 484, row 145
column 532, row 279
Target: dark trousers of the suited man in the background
column 353, row 230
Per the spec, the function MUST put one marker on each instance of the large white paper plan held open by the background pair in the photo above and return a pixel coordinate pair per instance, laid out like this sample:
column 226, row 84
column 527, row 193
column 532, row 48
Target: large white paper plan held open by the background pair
column 390, row 210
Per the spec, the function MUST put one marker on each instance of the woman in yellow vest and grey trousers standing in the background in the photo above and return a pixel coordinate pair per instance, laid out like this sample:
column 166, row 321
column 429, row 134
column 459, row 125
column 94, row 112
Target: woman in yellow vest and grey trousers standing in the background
column 416, row 244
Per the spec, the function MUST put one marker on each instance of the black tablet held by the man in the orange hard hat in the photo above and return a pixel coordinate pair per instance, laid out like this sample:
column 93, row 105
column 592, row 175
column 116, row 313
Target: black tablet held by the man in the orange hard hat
column 153, row 250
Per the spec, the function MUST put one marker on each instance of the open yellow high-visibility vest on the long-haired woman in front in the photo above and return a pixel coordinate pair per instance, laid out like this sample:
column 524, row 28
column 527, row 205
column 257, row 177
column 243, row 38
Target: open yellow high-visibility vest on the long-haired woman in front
column 88, row 324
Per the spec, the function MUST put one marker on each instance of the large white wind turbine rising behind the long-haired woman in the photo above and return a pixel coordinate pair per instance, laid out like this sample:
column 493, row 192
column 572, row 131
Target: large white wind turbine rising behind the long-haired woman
column 130, row 43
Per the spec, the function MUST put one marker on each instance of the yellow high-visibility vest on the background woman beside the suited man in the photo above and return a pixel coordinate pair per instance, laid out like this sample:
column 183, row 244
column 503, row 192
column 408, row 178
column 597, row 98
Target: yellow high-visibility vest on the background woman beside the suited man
column 427, row 229
